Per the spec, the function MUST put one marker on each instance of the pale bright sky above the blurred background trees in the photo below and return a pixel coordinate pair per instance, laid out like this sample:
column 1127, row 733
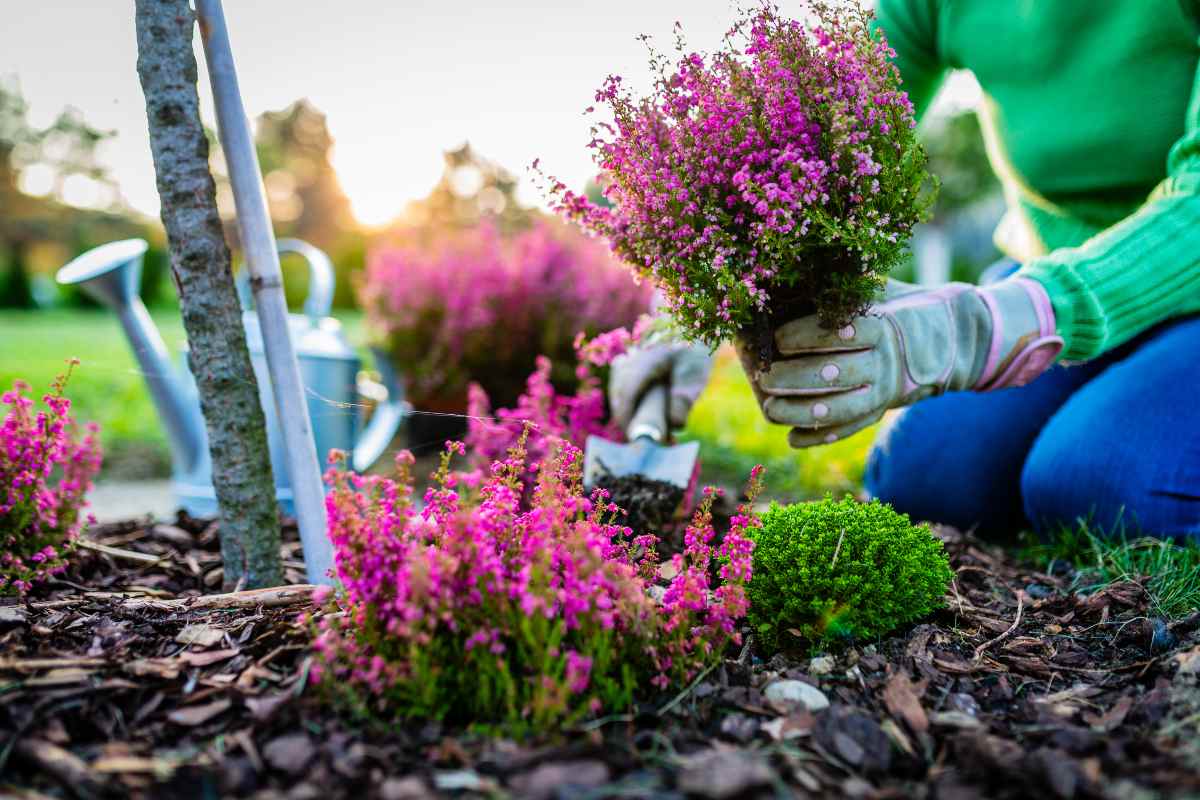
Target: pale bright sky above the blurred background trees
column 400, row 81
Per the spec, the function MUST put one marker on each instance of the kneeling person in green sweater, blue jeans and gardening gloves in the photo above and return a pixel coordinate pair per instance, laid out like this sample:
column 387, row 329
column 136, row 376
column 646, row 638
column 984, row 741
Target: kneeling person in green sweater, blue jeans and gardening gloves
column 1093, row 123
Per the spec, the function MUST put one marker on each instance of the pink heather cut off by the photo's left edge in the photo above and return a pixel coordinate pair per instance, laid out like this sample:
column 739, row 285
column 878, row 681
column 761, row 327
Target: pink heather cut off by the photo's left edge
column 46, row 471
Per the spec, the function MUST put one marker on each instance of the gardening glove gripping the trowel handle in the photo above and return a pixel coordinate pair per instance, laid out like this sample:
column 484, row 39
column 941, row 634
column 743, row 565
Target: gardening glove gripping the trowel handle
column 685, row 368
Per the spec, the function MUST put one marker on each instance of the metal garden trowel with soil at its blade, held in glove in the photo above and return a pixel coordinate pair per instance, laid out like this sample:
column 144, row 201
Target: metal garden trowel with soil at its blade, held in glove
column 645, row 455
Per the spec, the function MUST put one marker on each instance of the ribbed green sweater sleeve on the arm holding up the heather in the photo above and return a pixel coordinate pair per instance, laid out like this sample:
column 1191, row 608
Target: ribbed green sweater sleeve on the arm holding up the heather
column 1139, row 273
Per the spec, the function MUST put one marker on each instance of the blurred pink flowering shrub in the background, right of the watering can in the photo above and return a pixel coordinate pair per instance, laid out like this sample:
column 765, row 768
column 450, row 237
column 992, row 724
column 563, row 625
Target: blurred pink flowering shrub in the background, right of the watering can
column 479, row 308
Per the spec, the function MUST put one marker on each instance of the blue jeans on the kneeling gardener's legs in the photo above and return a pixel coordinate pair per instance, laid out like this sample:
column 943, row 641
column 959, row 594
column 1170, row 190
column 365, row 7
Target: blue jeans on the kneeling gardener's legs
column 1115, row 441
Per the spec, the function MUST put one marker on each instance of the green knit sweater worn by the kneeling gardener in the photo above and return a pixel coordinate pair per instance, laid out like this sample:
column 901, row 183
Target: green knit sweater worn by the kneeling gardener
column 1093, row 122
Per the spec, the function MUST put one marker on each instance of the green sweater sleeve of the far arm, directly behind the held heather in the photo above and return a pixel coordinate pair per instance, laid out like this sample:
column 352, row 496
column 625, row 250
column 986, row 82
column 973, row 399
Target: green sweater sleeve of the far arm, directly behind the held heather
column 911, row 31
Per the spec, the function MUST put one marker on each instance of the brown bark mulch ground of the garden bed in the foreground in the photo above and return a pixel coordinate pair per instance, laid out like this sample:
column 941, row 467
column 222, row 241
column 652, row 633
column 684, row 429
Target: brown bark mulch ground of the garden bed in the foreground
column 112, row 685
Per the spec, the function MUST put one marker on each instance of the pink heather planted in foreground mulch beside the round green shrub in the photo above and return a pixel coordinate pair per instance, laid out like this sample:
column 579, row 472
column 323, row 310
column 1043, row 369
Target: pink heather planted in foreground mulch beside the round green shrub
column 481, row 610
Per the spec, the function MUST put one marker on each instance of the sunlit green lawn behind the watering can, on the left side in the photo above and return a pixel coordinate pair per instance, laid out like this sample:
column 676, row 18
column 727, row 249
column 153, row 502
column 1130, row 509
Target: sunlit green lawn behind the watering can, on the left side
column 107, row 386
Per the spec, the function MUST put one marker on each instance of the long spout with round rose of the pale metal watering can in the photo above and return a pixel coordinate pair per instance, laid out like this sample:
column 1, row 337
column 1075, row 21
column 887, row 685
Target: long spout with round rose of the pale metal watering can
column 111, row 274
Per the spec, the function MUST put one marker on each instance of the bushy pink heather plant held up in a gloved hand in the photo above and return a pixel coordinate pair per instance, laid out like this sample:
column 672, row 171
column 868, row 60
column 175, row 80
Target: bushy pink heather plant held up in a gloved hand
column 779, row 175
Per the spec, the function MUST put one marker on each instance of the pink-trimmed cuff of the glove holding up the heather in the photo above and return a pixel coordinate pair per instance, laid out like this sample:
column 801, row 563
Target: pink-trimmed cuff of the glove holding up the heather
column 1024, row 339
